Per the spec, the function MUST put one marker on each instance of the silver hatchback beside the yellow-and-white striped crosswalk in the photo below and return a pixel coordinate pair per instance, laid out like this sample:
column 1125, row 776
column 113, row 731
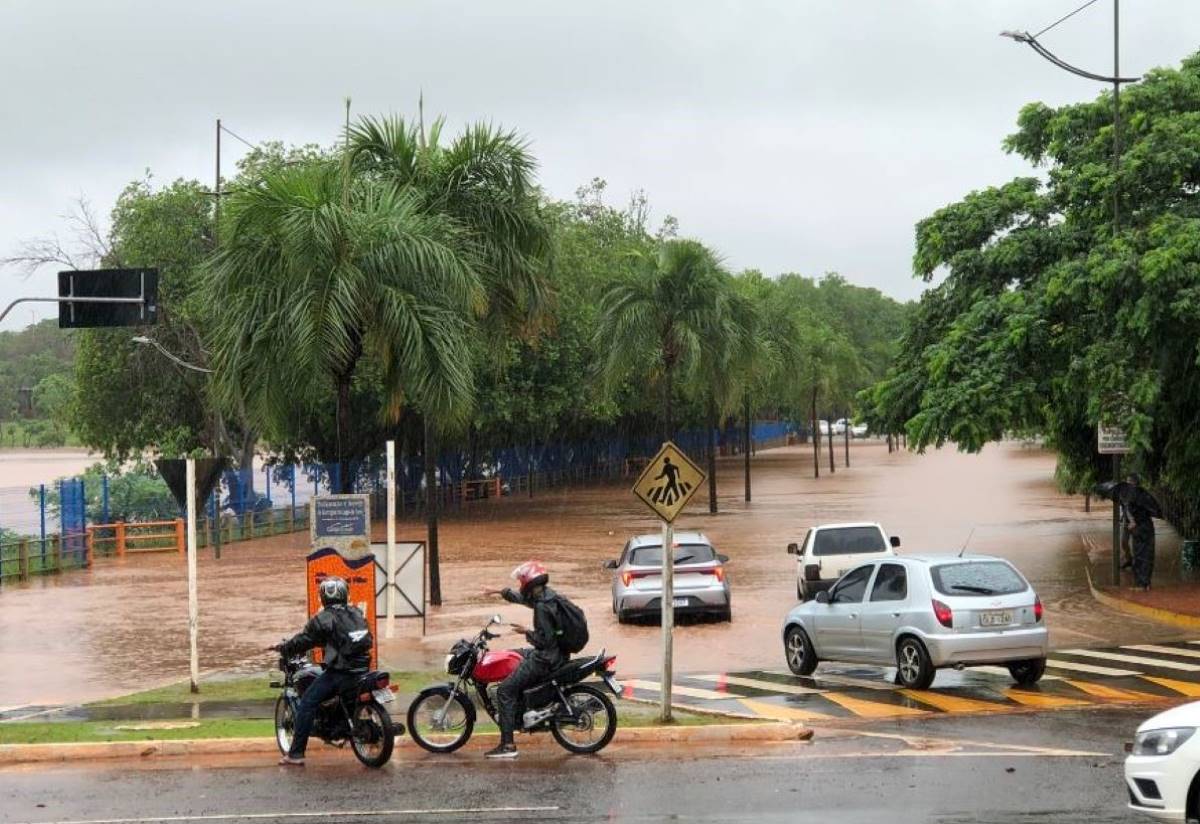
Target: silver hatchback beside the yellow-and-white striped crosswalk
column 921, row 614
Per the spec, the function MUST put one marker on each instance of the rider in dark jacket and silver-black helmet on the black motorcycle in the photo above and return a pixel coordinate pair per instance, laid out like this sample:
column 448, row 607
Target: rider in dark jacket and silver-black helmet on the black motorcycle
column 326, row 629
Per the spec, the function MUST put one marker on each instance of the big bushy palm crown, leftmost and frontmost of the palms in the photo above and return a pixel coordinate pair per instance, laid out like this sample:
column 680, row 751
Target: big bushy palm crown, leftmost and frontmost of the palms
column 320, row 269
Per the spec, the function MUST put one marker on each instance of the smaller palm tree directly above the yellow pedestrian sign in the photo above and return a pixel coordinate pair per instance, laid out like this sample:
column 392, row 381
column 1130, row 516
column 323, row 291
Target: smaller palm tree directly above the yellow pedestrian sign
column 657, row 321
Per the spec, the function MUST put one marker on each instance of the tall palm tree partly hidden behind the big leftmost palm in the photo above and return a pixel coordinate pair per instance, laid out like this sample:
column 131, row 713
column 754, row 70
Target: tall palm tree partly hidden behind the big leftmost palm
column 483, row 182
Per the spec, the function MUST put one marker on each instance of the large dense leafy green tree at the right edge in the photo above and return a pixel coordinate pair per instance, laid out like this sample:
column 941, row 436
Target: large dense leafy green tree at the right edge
column 1049, row 321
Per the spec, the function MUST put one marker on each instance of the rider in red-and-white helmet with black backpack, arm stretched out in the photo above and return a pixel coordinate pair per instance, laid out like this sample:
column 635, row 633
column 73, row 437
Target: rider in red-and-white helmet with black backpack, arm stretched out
column 545, row 657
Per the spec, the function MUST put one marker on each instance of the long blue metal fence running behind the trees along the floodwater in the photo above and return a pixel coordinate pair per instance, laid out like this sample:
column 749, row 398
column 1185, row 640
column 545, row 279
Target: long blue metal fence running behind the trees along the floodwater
column 250, row 503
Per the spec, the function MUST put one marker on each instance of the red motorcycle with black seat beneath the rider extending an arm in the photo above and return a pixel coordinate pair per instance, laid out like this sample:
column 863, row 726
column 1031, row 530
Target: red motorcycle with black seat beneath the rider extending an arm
column 580, row 717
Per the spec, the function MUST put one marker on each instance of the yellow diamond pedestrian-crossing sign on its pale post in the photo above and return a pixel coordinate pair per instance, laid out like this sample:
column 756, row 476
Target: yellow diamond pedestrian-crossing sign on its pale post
column 665, row 486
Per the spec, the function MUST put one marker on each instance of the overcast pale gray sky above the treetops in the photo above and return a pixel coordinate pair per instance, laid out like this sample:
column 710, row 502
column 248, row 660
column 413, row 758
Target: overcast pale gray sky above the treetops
column 790, row 136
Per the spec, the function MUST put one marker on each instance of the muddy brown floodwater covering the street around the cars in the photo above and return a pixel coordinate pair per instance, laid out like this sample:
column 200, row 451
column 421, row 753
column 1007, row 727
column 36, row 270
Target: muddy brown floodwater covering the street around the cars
column 123, row 625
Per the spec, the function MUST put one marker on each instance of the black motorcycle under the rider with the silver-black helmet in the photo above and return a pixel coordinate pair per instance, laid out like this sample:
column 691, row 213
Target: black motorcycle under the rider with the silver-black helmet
column 357, row 717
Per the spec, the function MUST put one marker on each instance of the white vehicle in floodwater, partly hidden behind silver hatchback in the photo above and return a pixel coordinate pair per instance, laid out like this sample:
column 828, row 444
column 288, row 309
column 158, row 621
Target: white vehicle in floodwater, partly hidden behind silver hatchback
column 830, row 551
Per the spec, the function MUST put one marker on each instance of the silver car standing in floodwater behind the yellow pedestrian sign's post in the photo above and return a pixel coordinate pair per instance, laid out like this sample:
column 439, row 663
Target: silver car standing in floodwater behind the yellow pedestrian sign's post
column 700, row 582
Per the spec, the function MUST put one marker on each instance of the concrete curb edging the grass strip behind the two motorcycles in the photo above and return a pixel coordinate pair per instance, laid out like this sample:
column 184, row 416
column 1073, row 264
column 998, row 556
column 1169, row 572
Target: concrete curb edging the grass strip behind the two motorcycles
column 50, row 754
